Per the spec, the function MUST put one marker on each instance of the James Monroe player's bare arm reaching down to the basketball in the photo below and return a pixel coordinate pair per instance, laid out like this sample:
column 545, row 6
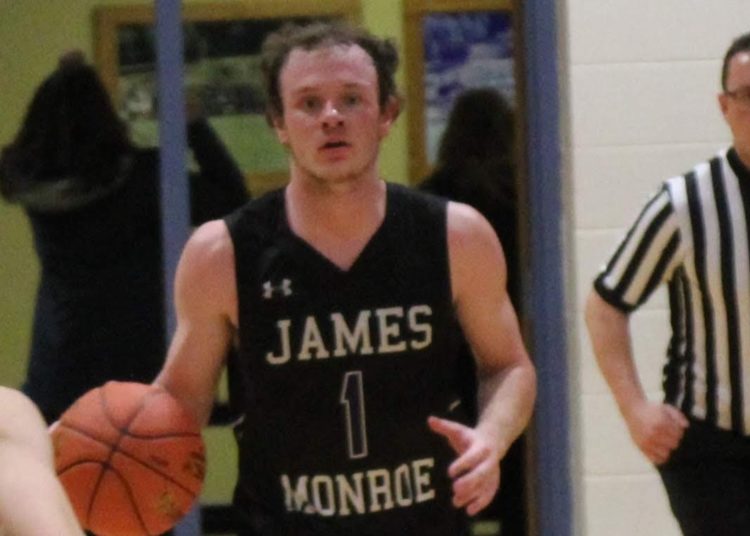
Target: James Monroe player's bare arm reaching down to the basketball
column 206, row 308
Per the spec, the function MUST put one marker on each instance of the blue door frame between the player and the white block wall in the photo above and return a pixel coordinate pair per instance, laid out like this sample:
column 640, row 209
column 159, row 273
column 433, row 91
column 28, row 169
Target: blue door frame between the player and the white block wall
column 552, row 453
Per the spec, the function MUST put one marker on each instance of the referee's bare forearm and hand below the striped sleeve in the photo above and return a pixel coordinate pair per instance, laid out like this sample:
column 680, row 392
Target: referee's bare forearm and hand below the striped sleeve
column 656, row 428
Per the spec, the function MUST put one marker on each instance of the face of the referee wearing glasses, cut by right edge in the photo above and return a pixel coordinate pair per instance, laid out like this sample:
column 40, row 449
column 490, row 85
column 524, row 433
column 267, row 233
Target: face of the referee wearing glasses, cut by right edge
column 735, row 103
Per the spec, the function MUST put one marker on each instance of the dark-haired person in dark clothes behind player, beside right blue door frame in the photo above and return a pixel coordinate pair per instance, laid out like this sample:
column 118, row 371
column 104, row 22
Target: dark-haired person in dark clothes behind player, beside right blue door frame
column 476, row 165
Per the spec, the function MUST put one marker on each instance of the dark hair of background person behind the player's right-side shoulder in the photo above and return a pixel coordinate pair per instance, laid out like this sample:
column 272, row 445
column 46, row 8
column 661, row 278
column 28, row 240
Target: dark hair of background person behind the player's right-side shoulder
column 477, row 149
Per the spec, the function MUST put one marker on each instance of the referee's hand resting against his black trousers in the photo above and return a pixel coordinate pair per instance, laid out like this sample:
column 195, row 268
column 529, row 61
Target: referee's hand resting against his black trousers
column 656, row 429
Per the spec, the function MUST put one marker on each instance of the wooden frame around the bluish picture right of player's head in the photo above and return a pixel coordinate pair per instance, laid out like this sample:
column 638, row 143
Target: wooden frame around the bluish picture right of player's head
column 417, row 12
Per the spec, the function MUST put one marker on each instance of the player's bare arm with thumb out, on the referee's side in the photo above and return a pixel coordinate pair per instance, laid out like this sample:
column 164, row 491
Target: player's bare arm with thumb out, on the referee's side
column 507, row 381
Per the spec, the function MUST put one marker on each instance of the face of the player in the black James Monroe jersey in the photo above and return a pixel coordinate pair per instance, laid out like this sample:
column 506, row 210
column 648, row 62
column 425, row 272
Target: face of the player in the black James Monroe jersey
column 331, row 121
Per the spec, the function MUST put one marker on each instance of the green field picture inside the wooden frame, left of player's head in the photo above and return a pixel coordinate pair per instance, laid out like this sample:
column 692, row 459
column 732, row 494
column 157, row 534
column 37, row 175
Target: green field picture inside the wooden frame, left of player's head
column 222, row 73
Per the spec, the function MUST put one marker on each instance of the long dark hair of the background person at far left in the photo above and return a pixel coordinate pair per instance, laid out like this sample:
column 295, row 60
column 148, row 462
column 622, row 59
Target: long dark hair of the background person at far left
column 70, row 130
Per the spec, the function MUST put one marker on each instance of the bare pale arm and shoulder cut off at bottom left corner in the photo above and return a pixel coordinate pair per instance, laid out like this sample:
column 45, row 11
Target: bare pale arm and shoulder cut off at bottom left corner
column 32, row 500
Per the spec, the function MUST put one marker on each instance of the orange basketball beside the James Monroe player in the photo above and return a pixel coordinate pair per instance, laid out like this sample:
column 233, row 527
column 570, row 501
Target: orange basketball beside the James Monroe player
column 131, row 459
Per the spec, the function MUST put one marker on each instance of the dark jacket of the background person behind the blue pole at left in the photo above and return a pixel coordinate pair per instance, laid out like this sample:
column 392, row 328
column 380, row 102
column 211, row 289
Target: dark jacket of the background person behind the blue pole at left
column 100, row 305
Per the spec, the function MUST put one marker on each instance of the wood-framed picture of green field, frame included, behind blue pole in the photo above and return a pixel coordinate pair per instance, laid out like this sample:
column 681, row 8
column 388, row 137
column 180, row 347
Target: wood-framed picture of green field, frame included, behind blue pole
column 241, row 125
